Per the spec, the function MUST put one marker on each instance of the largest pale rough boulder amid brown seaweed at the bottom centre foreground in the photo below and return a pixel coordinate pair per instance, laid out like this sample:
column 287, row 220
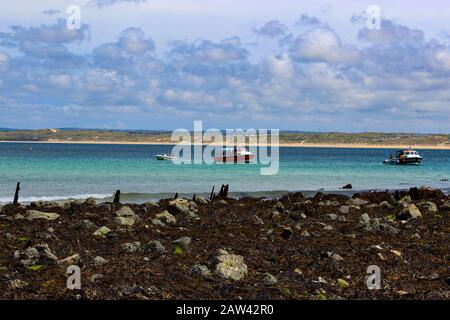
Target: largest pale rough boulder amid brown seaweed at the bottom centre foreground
column 230, row 266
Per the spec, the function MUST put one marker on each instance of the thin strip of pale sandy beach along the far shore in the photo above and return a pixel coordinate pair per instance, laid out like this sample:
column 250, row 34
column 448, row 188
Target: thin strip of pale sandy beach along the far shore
column 283, row 144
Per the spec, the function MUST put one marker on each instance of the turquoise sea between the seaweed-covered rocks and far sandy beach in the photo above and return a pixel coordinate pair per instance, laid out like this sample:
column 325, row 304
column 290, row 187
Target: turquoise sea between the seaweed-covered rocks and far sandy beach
column 61, row 171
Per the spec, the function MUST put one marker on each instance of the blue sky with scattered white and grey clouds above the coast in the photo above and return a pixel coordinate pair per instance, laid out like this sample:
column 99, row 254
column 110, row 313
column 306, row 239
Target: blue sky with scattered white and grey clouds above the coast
column 285, row 64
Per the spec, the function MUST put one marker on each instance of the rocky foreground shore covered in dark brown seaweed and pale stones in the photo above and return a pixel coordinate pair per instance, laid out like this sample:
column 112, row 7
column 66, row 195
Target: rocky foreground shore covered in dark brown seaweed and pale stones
column 250, row 248
